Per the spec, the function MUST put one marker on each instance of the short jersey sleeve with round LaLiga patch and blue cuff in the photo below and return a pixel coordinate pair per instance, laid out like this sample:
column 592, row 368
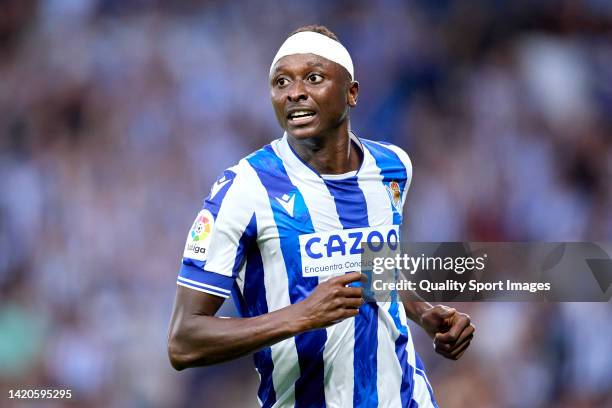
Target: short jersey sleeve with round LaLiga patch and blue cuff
column 218, row 237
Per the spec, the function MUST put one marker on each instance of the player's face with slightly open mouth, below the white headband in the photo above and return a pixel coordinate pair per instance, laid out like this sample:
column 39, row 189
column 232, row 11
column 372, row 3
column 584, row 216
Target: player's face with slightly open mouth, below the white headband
column 310, row 94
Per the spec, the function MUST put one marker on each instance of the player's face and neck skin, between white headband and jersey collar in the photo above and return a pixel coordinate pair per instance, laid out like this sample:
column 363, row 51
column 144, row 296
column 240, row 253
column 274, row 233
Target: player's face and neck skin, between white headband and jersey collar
column 310, row 82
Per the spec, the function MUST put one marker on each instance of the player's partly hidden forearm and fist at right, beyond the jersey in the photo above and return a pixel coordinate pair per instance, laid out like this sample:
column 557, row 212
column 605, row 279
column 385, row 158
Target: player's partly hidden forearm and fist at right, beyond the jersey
column 451, row 331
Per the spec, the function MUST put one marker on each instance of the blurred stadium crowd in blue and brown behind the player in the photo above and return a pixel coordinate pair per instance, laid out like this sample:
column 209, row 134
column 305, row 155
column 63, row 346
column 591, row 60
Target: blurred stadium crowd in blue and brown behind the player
column 116, row 116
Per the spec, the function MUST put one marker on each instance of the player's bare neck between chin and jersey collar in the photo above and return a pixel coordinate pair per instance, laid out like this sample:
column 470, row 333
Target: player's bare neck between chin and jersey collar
column 330, row 154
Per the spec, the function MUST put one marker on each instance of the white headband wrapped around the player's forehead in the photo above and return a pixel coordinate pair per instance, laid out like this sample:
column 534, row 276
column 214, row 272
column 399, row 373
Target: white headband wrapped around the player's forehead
column 309, row 42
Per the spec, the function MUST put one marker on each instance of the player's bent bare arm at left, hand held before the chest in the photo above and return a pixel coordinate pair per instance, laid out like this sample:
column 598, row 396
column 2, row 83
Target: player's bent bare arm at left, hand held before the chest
column 196, row 337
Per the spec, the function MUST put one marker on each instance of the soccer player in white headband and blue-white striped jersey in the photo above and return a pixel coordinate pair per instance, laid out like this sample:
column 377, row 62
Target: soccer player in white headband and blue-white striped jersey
column 303, row 197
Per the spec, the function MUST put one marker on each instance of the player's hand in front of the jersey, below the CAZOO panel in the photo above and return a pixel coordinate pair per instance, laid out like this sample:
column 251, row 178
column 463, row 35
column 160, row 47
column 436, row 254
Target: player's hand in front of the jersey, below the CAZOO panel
column 331, row 302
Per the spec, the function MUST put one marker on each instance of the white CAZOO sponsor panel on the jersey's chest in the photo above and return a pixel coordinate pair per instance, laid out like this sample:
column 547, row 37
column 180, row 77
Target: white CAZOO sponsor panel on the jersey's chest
column 338, row 252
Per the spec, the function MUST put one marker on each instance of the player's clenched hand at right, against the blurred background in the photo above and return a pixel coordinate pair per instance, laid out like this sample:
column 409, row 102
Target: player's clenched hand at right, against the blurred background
column 450, row 330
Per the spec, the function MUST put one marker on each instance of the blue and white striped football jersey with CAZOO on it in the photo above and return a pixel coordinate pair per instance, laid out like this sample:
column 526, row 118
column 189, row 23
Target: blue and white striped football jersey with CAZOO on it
column 270, row 230
